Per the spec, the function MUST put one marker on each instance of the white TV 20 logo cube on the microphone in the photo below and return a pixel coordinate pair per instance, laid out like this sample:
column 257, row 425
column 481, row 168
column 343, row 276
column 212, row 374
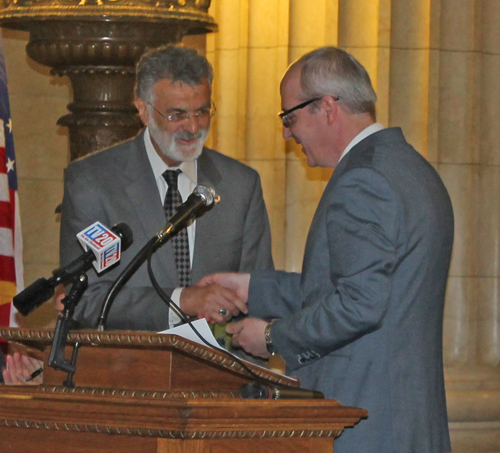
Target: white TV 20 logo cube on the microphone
column 103, row 242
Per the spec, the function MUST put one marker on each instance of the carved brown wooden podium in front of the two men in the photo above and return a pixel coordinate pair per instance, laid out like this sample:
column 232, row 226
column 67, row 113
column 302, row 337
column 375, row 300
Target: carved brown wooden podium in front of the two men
column 144, row 392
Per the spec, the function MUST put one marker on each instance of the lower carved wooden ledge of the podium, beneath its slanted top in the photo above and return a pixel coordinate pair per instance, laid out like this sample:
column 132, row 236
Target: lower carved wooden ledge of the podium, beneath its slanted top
column 170, row 417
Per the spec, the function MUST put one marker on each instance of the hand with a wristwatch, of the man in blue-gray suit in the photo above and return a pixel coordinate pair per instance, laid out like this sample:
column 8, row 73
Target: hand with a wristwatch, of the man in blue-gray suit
column 249, row 334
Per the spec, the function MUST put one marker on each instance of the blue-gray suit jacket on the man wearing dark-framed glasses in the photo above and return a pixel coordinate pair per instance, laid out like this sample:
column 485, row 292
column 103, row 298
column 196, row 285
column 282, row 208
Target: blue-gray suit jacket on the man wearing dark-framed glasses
column 363, row 322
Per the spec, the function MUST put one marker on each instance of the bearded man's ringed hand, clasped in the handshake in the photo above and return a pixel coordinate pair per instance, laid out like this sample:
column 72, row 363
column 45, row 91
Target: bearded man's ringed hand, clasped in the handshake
column 207, row 301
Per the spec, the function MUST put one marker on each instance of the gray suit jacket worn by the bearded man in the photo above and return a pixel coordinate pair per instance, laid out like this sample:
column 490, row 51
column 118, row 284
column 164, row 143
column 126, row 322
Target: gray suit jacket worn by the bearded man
column 117, row 185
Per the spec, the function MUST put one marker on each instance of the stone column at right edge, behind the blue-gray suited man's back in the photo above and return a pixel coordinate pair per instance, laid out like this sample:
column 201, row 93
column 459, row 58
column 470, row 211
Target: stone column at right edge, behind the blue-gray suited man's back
column 469, row 157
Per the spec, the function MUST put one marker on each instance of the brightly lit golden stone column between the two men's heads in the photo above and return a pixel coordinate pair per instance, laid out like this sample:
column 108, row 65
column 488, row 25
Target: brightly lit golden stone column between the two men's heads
column 248, row 58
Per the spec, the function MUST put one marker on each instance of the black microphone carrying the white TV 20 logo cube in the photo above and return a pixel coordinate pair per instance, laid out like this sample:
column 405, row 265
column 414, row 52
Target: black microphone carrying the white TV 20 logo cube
column 103, row 248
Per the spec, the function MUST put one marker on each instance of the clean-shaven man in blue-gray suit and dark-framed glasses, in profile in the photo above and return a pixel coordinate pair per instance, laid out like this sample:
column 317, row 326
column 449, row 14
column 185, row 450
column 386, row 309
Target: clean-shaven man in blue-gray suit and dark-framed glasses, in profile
column 363, row 322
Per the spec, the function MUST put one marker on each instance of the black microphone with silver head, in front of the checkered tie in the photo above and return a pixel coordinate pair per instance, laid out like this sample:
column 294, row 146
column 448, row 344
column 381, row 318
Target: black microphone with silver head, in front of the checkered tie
column 201, row 197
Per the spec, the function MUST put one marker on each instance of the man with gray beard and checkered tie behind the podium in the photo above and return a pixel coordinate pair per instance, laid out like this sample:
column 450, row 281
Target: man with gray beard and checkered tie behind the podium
column 129, row 183
